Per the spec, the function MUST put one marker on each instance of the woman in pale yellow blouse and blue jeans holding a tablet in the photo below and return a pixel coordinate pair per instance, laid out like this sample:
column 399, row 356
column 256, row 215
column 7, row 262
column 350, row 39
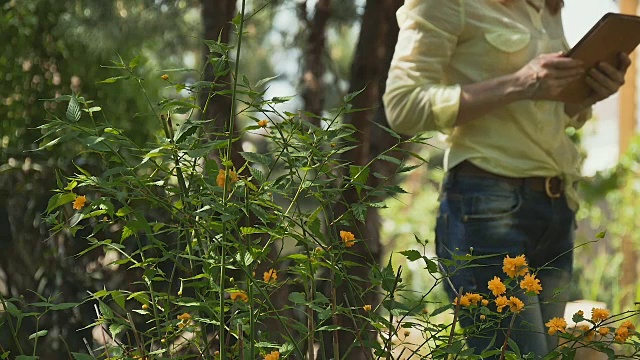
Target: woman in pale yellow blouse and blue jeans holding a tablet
column 486, row 72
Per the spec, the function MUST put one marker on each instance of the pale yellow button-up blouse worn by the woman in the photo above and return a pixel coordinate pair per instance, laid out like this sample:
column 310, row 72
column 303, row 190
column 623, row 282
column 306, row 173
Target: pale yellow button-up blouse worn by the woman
column 444, row 44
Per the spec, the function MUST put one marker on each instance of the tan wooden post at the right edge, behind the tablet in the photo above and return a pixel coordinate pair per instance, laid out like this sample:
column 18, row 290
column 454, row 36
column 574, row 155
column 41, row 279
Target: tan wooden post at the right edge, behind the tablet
column 627, row 127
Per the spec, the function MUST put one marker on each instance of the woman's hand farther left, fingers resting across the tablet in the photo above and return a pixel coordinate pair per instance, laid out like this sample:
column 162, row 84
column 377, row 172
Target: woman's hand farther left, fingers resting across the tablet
column 546, row 75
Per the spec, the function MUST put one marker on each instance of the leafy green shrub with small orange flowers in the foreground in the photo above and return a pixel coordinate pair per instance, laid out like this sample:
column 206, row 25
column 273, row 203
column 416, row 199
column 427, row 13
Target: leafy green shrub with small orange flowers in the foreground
column 211, row 245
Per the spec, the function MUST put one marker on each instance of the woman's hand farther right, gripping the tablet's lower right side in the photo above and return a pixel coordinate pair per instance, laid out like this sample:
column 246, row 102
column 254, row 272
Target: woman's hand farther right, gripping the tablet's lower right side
column 606, row 80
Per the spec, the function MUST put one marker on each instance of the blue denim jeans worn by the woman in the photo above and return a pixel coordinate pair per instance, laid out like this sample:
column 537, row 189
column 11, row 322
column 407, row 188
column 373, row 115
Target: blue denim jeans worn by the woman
column 487, row 216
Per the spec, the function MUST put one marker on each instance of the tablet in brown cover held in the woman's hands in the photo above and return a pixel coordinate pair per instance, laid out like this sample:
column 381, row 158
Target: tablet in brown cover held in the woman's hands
column 612, row 34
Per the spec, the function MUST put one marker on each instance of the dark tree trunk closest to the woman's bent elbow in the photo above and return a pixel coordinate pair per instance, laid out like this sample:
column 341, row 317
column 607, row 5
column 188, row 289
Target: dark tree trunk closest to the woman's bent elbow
column 378, row 35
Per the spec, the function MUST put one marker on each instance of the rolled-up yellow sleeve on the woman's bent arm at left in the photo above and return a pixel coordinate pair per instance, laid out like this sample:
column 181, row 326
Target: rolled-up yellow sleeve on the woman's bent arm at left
column 417, row 98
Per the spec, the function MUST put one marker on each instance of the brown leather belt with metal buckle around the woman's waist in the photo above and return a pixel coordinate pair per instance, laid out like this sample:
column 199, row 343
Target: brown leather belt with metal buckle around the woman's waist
column 552, row 186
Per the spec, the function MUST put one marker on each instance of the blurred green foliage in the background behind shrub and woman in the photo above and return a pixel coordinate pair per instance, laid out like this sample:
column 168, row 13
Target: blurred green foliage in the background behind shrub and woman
column 52, row 48
